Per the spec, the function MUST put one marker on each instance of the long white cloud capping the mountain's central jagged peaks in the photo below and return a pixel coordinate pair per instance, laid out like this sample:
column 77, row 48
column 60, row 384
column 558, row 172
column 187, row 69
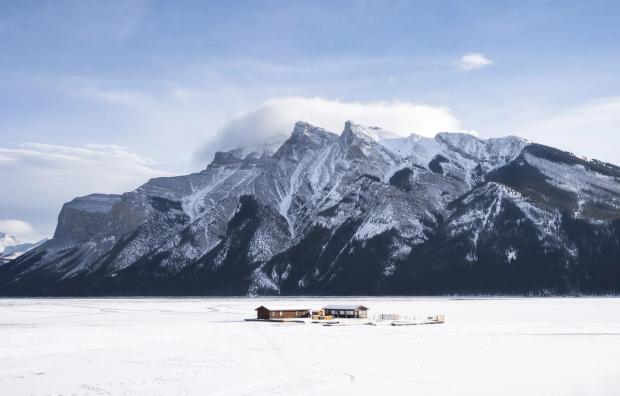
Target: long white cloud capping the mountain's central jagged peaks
column 275, row 118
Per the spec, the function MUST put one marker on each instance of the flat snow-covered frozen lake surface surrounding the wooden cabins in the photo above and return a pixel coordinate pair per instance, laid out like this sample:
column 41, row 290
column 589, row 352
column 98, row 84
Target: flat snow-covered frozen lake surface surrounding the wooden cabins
column 552, row 346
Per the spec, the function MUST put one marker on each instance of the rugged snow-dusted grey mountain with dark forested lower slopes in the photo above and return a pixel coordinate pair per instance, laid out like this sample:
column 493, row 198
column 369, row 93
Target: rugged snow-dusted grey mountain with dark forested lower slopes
column 363, row 212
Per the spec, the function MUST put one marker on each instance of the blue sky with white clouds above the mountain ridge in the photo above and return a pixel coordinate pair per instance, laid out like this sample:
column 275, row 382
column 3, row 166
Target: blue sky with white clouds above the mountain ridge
column 100, row 96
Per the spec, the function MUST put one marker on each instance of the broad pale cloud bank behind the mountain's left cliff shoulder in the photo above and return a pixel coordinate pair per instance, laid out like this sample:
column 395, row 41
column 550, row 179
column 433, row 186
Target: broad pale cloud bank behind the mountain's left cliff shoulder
column 38, row 178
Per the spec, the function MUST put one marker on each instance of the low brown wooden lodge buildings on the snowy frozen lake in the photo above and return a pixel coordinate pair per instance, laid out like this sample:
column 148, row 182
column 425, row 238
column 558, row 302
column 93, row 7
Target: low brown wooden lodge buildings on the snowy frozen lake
column 327, row 312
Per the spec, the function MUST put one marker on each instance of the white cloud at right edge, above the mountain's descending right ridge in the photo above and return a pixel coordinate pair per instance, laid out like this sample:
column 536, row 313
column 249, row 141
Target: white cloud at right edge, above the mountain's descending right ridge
column 591, row 129
